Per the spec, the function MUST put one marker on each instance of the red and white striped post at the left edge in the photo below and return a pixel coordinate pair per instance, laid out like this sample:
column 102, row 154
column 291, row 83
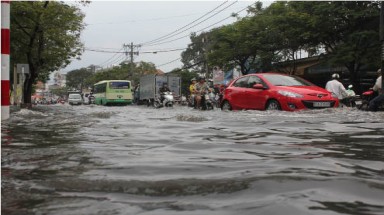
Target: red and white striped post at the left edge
column 5, row 51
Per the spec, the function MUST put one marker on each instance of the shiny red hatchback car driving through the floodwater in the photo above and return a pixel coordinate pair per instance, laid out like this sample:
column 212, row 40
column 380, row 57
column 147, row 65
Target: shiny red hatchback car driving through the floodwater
column 273, row 91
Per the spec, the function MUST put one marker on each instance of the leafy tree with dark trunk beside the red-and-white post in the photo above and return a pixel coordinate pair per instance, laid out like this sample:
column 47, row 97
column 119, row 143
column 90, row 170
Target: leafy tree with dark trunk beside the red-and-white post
column 46, row 35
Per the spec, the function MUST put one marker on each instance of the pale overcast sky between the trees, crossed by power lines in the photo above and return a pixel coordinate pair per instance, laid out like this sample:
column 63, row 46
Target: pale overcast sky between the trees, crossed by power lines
column 160, row 26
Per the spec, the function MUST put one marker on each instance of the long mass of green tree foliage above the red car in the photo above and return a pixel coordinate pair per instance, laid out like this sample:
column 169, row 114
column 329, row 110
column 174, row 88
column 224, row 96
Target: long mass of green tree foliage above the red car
column 346, row 32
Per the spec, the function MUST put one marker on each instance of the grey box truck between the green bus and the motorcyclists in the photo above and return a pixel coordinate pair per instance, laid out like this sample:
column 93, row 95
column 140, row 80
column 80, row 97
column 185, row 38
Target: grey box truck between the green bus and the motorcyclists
column 150, row 85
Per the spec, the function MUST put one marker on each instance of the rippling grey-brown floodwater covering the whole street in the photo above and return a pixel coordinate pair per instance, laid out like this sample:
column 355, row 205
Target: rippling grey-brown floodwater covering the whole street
column 61, row 159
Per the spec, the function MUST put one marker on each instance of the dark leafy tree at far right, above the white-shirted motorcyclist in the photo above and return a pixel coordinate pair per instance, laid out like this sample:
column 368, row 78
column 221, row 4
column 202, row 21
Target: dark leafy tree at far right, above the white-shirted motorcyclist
column 348, row 32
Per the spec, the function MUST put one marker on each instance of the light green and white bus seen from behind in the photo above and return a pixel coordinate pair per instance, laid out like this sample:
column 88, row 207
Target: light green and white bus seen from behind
column 113, row 92
